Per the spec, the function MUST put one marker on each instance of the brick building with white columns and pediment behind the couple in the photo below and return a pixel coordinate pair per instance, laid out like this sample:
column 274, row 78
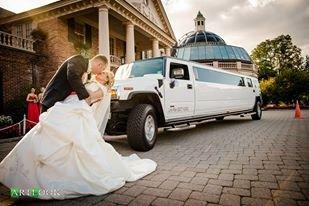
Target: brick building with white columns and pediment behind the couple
column 122, row 30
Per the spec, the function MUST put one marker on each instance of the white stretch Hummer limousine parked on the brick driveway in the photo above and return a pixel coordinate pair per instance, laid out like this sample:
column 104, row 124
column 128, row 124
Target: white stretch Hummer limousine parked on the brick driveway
column 166, row 92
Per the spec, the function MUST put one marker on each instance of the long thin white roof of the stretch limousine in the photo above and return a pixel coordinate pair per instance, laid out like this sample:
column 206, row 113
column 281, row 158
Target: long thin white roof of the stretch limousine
column 197, row 64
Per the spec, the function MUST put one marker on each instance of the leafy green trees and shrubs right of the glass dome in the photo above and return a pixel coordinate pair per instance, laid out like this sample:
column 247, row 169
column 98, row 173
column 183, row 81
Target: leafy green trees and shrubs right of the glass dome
column 283, row 74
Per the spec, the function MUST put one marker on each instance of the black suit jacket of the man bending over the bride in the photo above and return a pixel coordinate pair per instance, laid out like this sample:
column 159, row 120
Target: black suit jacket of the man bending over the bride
column 67, row 79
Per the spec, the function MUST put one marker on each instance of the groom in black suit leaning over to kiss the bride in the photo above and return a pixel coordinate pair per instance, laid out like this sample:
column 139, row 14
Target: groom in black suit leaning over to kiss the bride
column 68, row 79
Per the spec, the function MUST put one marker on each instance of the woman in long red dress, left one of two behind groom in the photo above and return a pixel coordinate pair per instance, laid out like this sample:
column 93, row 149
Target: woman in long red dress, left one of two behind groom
column 33, row 109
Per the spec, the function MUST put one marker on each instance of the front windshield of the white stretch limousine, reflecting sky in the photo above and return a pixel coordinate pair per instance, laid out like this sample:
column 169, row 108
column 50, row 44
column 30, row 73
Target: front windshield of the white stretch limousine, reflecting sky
column 139, row 69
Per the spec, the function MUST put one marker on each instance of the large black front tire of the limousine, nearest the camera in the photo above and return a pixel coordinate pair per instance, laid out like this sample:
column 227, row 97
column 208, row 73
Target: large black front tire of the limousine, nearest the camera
column 136, row 127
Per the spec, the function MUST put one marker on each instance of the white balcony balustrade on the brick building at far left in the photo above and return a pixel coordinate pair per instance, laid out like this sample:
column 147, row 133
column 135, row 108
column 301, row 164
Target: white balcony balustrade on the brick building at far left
column 16, row 42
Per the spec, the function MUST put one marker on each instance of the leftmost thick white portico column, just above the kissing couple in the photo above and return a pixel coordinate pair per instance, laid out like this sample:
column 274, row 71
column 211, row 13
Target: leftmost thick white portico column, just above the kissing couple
column 104, row 32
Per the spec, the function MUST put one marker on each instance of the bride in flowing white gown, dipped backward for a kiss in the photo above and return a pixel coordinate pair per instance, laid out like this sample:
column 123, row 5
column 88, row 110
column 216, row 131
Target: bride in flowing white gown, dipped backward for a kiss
column 65, row 156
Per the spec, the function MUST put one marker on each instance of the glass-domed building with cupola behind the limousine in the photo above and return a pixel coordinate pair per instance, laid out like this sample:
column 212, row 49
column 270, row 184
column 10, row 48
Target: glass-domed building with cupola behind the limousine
column 210, row 49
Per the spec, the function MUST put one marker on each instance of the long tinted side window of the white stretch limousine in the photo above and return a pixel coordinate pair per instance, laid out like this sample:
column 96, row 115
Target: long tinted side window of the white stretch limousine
column 207, row 75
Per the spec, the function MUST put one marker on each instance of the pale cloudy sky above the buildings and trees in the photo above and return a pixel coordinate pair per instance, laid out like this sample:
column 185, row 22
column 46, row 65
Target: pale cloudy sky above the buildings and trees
column 242, row 23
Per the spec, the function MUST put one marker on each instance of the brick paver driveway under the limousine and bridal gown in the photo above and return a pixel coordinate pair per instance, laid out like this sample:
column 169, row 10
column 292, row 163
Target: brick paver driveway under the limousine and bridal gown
column 233, row 162
